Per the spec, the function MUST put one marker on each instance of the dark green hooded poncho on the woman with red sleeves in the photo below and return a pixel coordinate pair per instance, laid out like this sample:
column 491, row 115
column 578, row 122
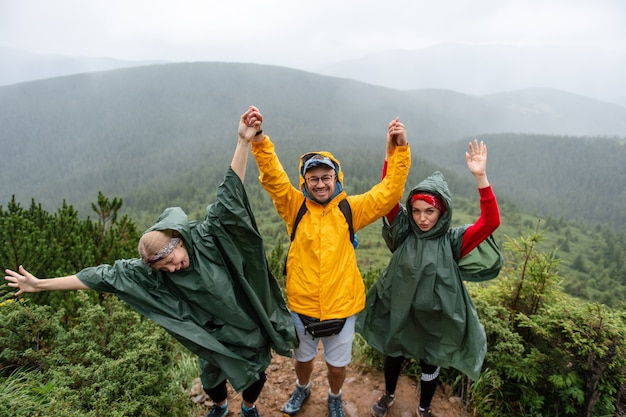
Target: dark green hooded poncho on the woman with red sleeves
column 419, row 307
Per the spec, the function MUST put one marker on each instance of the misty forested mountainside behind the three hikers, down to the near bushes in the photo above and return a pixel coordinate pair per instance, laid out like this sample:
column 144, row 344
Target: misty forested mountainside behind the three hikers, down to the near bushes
column 162, row 135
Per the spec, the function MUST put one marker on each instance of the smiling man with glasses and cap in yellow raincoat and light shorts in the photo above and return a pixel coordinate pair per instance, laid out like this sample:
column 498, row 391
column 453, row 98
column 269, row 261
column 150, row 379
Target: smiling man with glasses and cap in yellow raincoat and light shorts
column 323, row 280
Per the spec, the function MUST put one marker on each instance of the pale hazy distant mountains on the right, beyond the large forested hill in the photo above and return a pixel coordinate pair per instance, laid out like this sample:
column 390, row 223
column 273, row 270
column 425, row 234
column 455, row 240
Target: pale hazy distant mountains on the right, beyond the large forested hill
column 488, row 69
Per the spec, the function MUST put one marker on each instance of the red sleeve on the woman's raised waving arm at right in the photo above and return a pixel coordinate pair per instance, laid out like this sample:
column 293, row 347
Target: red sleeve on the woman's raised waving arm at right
column 487, row 222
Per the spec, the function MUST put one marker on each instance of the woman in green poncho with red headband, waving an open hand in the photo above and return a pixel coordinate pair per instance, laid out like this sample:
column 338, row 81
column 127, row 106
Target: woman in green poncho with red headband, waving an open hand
column 419, row 307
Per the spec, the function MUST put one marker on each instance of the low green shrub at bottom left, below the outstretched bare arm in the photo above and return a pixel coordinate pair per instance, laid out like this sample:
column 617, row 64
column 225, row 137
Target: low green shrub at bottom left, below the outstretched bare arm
column 113, row 362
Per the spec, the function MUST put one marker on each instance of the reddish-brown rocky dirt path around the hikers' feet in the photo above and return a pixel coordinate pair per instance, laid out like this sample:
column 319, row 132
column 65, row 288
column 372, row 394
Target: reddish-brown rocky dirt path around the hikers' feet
column 361, row 388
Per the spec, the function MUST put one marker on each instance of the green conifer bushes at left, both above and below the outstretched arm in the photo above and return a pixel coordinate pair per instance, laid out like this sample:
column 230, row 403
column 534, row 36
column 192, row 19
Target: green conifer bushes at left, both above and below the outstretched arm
column 79, row 353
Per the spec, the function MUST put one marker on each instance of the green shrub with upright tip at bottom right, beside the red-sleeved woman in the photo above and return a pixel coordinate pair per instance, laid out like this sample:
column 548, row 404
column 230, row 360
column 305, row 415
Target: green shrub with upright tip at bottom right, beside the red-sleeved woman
column 549, row 354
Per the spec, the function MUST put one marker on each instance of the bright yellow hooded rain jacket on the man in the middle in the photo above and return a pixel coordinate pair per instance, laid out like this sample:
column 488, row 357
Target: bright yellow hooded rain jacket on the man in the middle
column 323, row 280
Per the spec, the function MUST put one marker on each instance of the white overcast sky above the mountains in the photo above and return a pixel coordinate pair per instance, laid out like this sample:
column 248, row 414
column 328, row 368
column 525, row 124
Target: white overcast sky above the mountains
column 298, row 33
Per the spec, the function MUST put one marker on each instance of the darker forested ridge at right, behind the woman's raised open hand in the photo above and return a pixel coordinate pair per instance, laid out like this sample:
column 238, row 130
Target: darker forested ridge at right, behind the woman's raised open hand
column 575, row 178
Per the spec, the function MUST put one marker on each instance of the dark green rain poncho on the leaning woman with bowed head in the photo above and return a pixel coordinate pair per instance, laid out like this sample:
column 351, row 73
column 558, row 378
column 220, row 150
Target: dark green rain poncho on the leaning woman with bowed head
column 226, row 307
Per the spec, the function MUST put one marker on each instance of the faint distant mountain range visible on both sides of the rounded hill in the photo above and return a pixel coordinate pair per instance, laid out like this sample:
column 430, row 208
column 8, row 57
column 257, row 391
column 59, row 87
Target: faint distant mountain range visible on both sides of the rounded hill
column 469, row 69
